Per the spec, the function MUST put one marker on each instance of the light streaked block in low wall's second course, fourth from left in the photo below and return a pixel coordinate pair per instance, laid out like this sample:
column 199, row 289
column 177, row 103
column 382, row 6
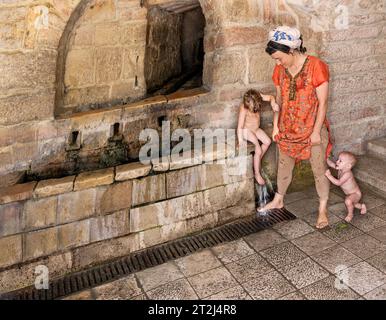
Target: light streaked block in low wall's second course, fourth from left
column 110, row 226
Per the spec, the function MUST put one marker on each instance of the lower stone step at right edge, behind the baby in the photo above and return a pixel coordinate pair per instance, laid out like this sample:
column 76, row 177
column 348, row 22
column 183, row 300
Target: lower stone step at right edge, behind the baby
column 371, row 171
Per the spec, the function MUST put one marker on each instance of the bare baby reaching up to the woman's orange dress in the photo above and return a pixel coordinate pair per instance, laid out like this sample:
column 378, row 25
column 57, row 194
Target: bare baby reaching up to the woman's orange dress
column 346, row 181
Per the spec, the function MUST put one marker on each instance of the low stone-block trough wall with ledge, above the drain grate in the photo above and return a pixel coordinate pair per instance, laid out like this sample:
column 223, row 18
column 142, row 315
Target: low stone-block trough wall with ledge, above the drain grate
column 75, row 222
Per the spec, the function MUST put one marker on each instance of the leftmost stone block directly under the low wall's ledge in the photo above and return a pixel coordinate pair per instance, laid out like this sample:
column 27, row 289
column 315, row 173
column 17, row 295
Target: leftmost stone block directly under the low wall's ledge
column 10, row 218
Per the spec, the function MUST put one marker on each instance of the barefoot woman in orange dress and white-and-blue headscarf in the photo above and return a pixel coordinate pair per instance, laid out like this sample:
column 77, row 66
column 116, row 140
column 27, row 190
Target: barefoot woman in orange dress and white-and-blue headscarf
column 301, row 129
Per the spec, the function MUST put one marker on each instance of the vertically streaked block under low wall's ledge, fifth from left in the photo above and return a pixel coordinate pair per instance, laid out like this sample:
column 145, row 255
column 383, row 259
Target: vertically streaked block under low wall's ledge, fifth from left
column 149, row 189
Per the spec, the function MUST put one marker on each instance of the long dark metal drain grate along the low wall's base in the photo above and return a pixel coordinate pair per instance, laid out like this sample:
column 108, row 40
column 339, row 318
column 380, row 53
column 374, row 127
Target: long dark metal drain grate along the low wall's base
column 148, row 258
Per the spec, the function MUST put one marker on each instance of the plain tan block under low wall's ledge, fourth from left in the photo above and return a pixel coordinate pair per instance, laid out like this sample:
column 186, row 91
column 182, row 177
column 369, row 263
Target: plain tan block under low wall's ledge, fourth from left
column 114, row 197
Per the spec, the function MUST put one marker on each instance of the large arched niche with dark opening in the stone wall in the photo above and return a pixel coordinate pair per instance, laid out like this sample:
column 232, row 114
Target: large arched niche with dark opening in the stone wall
column 114, row 52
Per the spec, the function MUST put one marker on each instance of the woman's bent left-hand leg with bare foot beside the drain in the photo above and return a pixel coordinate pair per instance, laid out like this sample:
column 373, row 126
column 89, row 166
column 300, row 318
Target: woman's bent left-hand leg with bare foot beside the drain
column 284, row 178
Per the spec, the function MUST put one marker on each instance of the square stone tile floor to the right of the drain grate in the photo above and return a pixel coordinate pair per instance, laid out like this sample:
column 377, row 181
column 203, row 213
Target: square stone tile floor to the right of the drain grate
column 291, row 261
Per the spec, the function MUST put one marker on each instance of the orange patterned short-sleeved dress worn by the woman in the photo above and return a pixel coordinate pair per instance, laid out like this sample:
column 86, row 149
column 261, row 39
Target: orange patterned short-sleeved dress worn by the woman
column 300, row 107
